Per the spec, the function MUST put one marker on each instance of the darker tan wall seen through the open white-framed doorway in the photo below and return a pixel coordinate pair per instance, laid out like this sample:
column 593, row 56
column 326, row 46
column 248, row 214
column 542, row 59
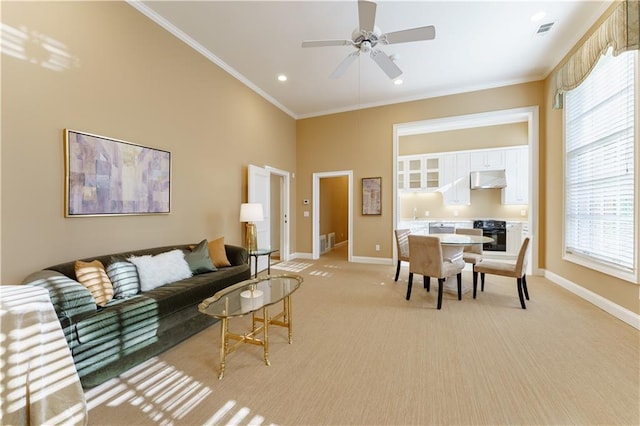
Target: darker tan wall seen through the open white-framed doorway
column 334, row 207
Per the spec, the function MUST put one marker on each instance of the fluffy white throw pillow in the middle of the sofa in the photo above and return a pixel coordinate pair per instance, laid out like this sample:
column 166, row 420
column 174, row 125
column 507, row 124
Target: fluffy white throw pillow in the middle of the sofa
column 161, row 269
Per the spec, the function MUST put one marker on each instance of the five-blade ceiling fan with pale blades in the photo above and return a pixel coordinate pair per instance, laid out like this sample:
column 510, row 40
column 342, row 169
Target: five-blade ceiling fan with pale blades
column 366, row 38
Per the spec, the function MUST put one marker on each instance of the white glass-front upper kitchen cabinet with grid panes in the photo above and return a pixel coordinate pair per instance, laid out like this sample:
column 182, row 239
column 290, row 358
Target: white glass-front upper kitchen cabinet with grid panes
column 419, row 173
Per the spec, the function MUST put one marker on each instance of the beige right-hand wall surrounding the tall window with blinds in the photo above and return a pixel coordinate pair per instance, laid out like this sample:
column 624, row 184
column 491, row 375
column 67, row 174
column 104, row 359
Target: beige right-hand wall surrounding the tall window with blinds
column 621, row 292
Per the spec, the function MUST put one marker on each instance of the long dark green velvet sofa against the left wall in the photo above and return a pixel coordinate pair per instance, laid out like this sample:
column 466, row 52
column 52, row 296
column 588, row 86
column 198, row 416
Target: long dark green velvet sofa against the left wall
column 106, row 341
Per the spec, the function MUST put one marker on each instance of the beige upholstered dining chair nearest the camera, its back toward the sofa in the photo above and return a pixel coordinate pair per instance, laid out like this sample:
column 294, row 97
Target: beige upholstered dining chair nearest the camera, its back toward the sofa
column 426, row 259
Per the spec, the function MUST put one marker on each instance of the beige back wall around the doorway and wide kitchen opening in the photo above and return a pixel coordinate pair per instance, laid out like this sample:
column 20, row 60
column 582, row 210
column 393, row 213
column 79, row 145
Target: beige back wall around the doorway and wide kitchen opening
column 362, row 141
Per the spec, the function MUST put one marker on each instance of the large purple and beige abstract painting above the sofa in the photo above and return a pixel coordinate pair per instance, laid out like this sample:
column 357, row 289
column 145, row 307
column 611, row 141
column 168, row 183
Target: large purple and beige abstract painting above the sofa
column 108, row 177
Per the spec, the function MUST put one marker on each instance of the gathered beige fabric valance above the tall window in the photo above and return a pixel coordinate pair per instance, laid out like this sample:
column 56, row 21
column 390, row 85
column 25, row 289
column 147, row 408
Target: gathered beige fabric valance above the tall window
column 621, row 31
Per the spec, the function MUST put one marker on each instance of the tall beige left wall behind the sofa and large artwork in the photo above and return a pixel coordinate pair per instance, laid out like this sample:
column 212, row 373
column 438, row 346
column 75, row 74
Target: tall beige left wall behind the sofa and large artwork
column 129, row 79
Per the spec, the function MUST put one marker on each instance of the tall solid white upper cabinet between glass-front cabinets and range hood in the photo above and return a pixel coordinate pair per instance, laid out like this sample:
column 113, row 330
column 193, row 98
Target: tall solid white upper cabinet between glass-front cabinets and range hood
column 454, row 182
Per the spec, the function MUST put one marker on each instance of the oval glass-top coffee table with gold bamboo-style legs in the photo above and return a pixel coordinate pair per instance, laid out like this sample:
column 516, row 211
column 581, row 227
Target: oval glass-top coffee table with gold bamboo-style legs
column 251, row 297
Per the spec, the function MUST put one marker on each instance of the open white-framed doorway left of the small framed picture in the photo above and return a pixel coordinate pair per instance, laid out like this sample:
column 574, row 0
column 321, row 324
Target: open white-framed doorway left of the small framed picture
column 342, row 199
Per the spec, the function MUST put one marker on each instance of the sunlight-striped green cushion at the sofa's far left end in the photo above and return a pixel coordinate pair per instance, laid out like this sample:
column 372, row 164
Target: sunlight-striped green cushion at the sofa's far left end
column 70, row 299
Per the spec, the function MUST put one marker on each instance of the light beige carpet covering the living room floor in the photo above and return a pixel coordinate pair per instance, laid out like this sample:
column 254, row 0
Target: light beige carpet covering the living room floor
column 363, row 355
